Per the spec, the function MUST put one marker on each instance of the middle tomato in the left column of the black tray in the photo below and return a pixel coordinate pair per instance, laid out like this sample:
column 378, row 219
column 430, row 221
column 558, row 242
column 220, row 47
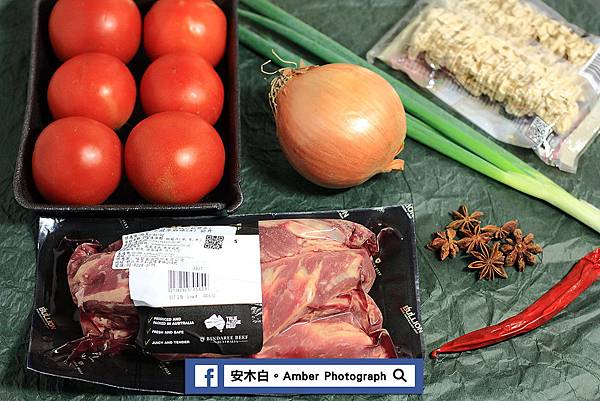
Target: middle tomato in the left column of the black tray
column 93, row 85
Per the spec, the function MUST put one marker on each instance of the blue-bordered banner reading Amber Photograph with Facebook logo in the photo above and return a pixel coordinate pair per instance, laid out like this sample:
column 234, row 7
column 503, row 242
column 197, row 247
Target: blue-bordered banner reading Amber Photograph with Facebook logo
column 304, row 376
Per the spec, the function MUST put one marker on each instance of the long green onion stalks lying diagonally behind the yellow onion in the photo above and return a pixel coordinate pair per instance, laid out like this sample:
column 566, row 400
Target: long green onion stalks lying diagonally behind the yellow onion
column 494, row 164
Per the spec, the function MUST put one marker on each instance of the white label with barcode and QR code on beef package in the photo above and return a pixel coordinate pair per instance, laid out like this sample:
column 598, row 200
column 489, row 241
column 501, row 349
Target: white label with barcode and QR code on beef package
column 191, row 266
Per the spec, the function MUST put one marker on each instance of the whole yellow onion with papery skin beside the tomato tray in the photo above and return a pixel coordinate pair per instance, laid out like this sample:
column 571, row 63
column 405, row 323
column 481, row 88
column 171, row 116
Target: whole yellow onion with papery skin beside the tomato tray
column 338, row 124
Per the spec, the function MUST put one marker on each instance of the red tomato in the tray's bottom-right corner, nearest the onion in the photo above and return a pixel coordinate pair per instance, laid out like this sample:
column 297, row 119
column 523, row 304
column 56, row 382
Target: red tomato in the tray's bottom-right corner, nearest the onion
column 174, row 157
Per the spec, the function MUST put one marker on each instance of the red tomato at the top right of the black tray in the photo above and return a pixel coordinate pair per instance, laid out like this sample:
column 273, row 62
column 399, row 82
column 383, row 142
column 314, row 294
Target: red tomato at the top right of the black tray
column 196, row 26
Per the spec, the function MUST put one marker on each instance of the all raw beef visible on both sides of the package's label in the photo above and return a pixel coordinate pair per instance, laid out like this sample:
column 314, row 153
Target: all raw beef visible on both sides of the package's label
column 315, row 279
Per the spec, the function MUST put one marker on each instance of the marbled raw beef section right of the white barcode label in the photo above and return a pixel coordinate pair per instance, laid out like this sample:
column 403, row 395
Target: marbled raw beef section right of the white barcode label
column 316, row 276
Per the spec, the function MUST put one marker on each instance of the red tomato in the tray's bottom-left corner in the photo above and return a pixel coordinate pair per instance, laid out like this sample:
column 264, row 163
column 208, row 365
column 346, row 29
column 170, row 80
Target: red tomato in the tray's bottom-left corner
column 77, row 161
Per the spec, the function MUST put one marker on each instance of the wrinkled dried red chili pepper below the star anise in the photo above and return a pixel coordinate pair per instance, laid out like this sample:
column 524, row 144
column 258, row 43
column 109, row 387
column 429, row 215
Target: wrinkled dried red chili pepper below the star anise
column 581, row 276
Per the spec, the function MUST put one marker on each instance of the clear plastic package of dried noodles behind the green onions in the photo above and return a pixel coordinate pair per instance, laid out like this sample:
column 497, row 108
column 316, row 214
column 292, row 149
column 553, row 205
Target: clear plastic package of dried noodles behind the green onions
column 515, row 68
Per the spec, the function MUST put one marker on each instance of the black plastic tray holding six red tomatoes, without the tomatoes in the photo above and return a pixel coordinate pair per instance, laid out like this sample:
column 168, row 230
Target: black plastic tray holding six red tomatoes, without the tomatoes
column 226, row 198
